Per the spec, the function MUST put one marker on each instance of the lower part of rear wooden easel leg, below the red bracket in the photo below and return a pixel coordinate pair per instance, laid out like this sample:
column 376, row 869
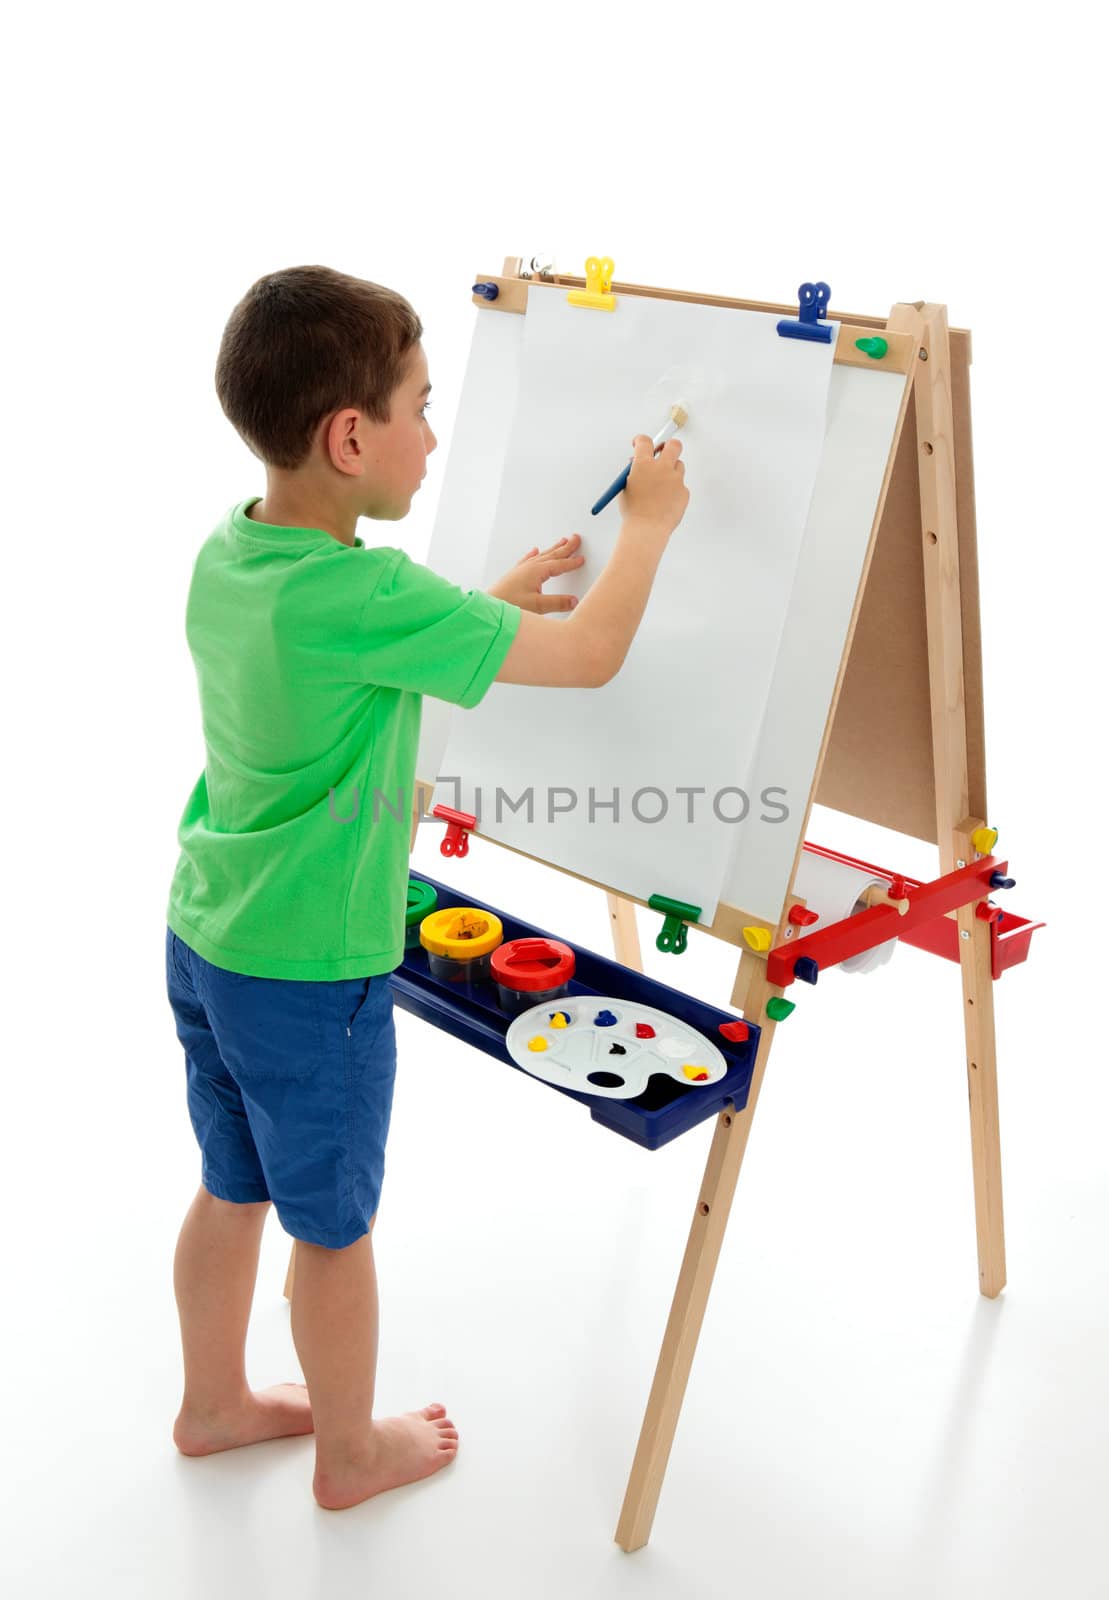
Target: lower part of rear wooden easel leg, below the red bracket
column 982, row 1084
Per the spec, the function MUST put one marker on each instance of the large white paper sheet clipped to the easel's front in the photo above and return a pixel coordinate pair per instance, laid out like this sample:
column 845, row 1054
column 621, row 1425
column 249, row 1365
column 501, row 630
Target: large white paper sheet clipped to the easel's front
column 671, row 735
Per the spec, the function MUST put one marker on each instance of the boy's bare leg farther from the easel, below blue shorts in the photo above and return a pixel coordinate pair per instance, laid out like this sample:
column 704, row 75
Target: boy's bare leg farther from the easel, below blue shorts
column 214, row 1276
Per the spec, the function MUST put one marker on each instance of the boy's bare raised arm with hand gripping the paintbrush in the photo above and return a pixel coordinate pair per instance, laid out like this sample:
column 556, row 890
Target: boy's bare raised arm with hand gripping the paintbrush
column 590, row 647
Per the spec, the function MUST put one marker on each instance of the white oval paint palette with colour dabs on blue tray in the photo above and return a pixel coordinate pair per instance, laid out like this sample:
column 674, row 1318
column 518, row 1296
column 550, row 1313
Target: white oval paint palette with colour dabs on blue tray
column 585, row 1049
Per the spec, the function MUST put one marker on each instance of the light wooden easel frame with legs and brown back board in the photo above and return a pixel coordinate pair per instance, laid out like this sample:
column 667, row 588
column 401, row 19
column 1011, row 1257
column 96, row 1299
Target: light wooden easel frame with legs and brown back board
column 913, row 662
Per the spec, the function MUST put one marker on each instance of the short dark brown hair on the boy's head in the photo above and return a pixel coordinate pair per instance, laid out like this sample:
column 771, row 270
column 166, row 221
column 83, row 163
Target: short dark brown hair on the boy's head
column 303, row 343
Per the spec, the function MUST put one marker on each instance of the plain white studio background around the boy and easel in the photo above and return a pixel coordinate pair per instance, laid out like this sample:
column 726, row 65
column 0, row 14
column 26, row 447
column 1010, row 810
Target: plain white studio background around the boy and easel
column 860, row 1422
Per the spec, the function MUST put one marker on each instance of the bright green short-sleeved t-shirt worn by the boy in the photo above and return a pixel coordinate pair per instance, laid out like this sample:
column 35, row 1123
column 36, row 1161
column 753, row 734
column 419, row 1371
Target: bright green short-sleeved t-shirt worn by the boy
column 311, row 662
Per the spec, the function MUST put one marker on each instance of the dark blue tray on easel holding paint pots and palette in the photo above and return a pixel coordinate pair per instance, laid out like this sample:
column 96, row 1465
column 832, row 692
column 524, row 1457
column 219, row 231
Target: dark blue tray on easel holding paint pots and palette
column 655, row 1118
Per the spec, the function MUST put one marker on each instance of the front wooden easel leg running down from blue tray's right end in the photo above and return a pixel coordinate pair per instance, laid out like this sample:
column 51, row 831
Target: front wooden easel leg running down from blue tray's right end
column 695, row 1281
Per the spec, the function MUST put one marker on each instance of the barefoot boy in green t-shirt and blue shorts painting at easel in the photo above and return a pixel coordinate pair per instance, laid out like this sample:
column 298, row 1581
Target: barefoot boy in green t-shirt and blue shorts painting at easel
column 287, row 905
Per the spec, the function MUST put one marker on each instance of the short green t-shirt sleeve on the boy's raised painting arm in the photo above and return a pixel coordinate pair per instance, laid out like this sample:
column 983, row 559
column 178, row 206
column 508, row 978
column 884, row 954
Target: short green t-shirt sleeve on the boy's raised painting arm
column 422, row 633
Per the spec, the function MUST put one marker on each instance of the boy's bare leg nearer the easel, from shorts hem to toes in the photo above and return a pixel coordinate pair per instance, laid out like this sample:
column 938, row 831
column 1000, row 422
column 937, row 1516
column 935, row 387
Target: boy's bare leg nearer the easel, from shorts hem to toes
column 335, row 1330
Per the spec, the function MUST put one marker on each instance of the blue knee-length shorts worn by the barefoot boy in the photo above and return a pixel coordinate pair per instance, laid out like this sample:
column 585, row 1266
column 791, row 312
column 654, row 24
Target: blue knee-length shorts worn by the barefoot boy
column 290, row 1090
